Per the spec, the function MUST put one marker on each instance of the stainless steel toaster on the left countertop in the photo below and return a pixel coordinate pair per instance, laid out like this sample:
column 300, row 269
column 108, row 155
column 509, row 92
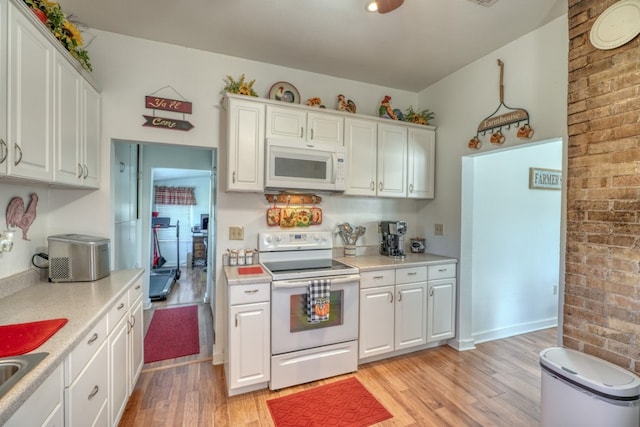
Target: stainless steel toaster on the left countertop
column 78, row 258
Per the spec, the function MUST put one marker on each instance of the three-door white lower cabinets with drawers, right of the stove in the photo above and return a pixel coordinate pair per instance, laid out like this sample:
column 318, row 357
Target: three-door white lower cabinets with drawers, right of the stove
column 403, row 308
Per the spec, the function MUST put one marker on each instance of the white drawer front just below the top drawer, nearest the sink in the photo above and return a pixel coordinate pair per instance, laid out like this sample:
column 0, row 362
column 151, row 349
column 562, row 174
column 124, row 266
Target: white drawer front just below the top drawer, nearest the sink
column 85, row 398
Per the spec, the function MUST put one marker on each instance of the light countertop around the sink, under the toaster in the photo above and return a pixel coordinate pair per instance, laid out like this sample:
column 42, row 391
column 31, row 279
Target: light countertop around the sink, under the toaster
column 82, row 303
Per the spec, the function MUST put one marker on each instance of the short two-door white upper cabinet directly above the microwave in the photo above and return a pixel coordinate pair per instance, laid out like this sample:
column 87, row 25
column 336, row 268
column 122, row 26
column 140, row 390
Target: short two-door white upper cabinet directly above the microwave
column 305, row 126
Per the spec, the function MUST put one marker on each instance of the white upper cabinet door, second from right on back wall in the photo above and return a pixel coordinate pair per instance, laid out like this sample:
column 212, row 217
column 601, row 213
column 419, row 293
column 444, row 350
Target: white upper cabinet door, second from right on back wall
column 392, row 160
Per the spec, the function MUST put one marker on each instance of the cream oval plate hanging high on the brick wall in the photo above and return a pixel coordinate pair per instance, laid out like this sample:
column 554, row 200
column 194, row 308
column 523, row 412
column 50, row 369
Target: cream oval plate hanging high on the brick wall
column 617, row 25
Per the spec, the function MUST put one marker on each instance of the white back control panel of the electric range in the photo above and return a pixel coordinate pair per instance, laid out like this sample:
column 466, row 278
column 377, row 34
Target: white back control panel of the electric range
column 294, row 240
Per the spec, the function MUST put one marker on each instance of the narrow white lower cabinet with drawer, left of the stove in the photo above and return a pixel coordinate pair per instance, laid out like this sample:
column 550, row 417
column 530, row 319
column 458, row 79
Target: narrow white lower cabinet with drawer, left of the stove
column 248, row 359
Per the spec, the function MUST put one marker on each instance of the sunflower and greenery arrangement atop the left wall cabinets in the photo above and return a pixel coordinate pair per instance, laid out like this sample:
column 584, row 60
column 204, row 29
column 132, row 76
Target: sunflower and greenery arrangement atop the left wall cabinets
column 51, row 14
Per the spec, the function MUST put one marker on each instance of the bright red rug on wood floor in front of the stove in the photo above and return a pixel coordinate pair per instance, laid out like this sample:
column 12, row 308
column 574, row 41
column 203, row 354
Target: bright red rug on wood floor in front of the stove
column 343, row 403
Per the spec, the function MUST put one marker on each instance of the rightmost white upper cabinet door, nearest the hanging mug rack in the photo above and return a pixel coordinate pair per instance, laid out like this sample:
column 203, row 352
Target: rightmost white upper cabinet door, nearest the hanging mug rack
column 421, row 163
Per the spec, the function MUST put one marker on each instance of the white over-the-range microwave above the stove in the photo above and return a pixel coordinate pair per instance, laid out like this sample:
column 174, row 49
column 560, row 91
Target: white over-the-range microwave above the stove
column 299, row 165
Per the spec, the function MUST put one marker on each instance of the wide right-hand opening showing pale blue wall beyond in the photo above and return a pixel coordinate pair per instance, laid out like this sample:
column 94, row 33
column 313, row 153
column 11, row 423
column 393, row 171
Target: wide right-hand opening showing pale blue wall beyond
column 510, row 262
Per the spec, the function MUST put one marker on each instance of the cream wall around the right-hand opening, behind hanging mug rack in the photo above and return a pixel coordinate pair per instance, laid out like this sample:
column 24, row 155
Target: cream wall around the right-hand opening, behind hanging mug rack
column 535, row 78
